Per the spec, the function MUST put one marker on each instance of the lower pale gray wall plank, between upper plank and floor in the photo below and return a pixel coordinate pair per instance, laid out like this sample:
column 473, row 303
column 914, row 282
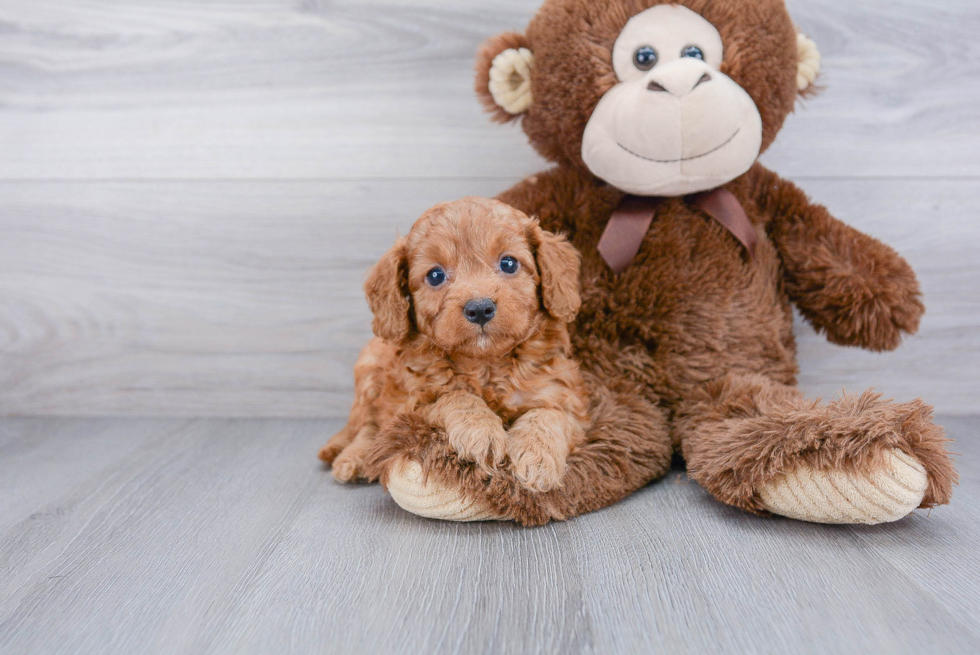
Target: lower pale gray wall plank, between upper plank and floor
column 244, row 299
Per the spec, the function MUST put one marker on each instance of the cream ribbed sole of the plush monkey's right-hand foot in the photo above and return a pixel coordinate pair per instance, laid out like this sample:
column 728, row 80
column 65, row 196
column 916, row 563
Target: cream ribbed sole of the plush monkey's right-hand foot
column 838, row 497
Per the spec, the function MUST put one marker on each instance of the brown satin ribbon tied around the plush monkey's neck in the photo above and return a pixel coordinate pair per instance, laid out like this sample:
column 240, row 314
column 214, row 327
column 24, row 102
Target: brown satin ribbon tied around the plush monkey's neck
column 628, row 225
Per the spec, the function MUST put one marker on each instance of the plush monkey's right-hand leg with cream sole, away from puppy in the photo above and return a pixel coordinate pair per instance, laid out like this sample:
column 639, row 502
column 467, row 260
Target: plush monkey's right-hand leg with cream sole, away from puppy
column 760, row 446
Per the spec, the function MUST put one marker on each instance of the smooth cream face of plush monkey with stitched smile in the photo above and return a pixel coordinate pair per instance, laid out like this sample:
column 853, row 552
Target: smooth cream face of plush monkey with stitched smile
column 674, row 124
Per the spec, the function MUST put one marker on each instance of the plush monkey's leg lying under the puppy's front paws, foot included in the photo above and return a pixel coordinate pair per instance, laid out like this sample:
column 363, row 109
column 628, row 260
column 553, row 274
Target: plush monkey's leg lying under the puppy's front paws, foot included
column 627, row 446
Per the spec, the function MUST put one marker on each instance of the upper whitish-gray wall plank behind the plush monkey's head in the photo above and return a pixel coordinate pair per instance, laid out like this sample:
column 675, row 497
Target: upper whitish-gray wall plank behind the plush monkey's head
column 286, row 89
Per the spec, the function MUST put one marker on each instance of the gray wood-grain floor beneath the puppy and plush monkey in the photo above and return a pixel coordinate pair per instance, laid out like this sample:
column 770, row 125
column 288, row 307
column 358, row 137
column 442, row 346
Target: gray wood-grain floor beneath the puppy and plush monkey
column 139, row 536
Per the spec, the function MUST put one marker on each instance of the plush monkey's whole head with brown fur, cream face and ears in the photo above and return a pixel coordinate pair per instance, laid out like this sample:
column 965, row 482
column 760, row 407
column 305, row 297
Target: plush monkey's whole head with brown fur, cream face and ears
column 655, row 97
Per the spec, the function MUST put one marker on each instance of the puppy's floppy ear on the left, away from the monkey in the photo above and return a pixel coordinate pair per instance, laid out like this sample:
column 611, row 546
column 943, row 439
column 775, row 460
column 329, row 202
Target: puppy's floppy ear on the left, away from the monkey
column 386, row 289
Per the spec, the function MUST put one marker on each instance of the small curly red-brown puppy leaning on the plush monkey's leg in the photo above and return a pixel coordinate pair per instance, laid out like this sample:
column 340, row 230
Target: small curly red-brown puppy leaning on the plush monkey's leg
column 470, row 312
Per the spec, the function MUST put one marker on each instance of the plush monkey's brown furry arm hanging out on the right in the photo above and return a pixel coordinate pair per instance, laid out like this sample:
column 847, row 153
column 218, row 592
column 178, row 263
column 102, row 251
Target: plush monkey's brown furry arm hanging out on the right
column 853, row 288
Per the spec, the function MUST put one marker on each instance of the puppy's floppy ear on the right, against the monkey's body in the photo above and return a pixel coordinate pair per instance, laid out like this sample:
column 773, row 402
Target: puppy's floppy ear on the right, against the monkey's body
column 559, row 263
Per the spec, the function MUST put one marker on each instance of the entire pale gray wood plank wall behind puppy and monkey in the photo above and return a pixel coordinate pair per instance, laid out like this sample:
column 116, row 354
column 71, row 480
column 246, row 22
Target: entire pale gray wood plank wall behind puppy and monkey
column 191, row 191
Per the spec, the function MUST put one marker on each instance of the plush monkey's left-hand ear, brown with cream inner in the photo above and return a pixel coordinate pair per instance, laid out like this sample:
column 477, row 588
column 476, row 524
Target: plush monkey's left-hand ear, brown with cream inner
column 503, row 75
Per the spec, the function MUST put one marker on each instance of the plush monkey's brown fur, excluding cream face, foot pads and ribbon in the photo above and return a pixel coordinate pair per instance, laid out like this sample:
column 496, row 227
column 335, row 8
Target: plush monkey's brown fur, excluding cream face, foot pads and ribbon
column 691, row 348
